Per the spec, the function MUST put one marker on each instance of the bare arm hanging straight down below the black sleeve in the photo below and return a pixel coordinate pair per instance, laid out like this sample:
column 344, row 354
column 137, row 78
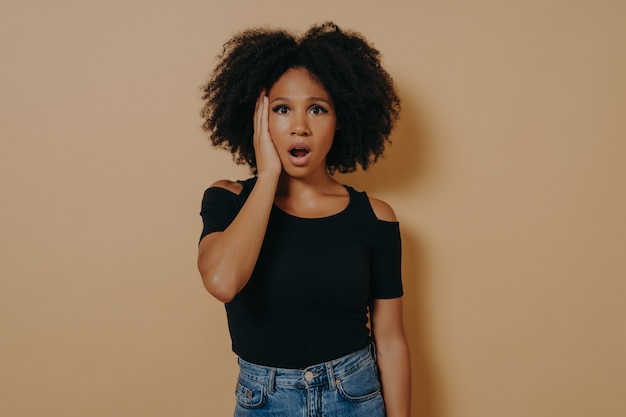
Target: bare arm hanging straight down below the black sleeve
column 393, row 356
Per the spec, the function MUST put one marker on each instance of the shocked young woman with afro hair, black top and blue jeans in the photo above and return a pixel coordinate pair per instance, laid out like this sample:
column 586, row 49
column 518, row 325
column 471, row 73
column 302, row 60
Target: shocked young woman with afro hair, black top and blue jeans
column 302, row 262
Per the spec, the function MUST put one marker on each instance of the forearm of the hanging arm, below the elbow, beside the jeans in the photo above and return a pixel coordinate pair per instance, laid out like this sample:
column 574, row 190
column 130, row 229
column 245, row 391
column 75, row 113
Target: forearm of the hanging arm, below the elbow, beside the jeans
column 395, row 373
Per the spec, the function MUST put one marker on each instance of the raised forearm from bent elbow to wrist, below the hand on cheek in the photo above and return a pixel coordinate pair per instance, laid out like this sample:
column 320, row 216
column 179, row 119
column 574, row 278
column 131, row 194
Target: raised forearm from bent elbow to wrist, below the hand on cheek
column 226, row 259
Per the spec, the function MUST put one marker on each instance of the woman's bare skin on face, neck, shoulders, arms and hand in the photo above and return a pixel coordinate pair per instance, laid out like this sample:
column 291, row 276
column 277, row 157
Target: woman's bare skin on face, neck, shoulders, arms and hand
column 298, row 111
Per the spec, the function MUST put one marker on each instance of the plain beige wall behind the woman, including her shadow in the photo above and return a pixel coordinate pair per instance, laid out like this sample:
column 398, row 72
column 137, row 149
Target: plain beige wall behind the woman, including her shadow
column 507, row 173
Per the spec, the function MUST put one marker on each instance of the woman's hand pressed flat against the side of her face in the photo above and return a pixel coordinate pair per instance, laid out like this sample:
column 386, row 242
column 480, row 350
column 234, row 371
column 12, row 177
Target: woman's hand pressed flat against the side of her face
column 267, row 159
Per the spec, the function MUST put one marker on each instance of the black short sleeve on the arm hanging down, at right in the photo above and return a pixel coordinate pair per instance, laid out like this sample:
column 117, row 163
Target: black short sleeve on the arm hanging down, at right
column 386, row 260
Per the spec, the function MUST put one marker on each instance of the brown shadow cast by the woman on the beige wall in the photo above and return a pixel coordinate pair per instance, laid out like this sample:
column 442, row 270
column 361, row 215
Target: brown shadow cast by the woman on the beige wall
column 399, row 173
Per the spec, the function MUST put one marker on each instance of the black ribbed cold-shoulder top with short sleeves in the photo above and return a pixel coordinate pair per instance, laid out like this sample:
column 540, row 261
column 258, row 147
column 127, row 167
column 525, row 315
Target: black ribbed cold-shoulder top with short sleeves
column 308, row 297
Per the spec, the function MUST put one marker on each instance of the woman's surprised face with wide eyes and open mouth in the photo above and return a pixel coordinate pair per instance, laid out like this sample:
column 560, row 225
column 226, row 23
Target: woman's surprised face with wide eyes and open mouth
column 302, row 122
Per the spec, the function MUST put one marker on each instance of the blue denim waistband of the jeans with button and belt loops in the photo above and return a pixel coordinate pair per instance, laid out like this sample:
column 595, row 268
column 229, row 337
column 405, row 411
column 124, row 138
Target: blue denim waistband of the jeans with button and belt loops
column 315, row 375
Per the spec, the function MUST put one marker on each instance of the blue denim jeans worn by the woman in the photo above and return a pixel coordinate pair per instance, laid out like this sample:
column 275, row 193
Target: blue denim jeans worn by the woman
column 346, row 387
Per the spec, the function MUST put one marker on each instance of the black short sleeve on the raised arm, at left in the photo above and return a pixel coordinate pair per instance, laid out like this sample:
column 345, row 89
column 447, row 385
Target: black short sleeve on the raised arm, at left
column 219, row 209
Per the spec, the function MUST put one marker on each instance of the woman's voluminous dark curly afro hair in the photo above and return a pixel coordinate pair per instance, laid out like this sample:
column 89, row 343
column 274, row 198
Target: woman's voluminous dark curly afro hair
column 345, row 63
